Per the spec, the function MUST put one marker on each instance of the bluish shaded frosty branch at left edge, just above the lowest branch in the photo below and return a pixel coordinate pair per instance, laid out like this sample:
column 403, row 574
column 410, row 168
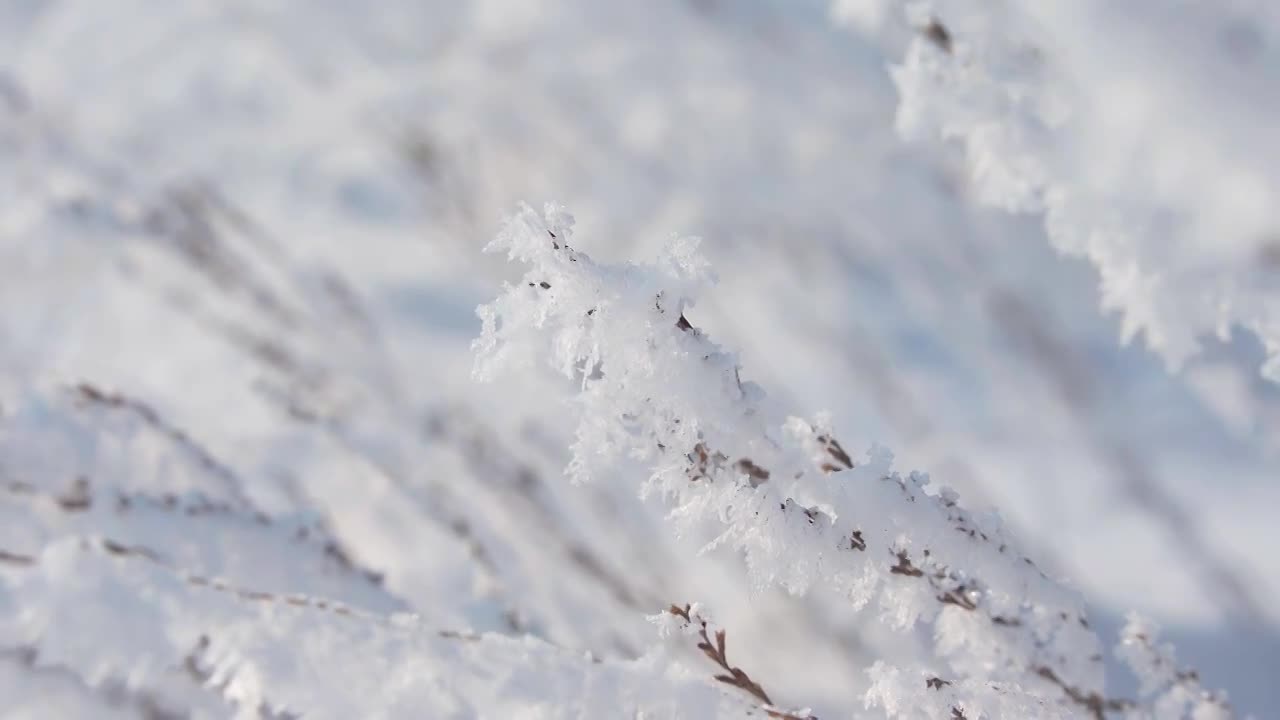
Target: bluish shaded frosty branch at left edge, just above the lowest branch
column 86, row 462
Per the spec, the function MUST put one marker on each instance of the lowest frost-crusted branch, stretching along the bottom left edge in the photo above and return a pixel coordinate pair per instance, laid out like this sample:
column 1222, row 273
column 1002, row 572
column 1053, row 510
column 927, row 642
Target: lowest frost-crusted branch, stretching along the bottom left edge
column 292, row 657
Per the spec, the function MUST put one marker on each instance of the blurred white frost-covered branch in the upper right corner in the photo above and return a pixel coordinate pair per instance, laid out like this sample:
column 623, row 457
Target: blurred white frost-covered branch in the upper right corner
column 1149, row 149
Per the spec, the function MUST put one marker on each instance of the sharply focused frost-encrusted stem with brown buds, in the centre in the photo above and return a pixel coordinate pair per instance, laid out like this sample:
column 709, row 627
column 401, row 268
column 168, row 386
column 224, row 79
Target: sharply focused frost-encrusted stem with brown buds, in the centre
column 655, row 389
